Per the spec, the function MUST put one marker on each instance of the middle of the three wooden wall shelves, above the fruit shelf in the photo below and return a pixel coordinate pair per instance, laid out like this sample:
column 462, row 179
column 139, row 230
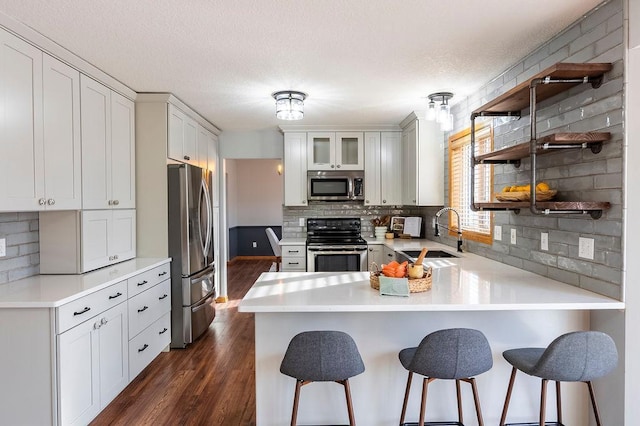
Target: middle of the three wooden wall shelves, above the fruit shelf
column 565, row 140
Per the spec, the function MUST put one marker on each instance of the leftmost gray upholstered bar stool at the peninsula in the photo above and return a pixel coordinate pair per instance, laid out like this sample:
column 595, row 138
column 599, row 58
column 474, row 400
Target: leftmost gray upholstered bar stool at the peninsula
column 322, row 356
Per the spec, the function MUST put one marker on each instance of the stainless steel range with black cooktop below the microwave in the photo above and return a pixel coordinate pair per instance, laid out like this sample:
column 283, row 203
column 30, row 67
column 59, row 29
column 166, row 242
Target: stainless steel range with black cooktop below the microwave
column 335, row 245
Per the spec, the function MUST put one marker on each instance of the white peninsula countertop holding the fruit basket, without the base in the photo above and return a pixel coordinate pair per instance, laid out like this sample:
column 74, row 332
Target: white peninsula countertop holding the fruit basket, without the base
column 466, row 283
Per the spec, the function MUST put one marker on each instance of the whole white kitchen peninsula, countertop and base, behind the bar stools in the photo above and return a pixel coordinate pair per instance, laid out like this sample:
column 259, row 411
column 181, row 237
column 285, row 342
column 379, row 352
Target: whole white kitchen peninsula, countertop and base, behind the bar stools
column 512, row 307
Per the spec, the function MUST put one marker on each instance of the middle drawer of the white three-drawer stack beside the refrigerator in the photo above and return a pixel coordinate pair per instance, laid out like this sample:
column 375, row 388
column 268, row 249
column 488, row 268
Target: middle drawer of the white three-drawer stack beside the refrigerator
column 148, row 306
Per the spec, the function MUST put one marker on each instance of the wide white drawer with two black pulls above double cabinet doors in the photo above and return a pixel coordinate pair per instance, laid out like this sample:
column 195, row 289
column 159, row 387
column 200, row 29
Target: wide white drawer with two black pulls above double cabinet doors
column 73, row 313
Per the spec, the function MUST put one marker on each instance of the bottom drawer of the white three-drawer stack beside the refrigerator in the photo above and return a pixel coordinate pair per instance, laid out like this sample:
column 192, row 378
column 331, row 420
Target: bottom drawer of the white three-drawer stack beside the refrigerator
column 148, row 344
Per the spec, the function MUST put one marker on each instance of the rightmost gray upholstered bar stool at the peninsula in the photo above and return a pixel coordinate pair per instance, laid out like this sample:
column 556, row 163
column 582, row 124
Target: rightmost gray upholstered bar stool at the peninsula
column 579, row 356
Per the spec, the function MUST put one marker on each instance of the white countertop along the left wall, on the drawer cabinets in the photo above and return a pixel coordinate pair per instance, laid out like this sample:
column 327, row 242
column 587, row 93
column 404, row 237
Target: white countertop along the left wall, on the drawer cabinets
column 50, row 291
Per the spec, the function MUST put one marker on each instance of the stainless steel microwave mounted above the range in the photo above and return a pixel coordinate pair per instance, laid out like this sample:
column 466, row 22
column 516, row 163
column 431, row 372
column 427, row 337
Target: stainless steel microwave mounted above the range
column 335, row 186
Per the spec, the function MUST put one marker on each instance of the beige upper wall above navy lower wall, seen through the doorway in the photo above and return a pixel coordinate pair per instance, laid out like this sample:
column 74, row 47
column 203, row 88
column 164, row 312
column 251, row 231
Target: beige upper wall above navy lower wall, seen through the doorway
column 260, row 193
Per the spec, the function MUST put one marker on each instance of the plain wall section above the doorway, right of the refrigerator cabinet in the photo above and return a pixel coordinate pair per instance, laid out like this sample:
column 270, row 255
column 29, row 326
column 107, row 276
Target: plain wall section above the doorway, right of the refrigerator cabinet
column 252, row 144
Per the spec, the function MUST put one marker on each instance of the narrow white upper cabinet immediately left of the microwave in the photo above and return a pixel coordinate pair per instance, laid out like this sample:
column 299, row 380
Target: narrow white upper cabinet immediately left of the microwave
column 295, row 169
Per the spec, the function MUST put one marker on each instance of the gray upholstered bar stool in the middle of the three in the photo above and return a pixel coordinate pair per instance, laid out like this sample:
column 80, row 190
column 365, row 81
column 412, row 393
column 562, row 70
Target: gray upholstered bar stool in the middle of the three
column 453, row 354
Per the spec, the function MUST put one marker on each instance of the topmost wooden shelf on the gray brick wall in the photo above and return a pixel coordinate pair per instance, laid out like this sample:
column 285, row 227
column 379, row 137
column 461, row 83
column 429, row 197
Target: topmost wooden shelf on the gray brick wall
column 517, row 98
